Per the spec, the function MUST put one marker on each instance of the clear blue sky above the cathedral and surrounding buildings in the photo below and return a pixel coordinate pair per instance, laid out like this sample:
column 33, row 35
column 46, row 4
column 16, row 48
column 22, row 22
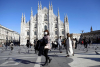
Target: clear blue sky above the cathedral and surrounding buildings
column 82, row 14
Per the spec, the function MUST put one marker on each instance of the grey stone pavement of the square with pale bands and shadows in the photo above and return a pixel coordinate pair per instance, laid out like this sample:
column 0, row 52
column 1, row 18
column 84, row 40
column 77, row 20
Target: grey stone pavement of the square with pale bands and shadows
column 23, row 57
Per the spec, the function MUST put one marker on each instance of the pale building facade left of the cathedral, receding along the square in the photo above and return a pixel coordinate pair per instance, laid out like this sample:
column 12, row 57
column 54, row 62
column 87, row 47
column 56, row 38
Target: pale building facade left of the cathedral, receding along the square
column 7, row 35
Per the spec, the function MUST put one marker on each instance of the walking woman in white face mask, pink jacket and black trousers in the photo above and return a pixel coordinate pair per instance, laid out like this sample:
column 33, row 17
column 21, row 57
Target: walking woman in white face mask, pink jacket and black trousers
column 46, row 47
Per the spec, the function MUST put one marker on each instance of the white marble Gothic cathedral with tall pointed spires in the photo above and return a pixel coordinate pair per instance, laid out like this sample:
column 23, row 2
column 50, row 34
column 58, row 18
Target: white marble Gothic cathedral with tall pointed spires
column 45, row 19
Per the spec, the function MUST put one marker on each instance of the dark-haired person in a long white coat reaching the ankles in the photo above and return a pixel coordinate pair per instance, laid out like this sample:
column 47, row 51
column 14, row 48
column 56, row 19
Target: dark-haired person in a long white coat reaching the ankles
column 69, row 49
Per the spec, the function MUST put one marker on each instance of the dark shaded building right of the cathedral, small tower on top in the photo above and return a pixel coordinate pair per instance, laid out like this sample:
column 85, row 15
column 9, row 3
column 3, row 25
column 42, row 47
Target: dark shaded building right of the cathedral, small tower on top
column 94, row 36
